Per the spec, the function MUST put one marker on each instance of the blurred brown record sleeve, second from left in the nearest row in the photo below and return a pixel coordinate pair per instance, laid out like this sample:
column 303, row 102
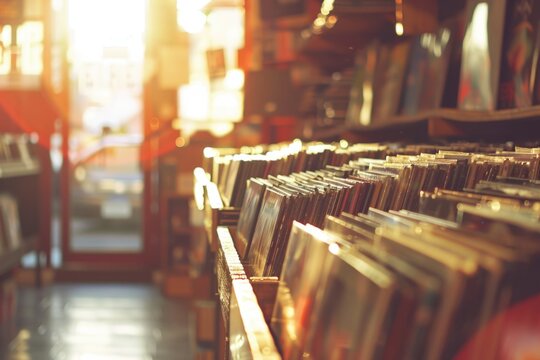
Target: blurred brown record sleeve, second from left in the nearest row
column 350, row 312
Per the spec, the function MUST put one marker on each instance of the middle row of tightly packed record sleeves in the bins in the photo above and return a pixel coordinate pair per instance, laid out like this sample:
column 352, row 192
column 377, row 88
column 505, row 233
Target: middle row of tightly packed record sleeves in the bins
column 270, row 205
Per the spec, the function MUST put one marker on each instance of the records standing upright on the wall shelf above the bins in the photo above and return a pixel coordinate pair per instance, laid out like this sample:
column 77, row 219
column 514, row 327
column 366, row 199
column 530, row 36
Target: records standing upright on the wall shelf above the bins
column 484, row 59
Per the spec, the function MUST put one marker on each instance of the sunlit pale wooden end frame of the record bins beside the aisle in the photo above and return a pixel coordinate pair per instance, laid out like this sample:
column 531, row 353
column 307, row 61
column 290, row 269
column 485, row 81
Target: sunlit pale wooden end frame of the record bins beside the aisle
column 245, row 302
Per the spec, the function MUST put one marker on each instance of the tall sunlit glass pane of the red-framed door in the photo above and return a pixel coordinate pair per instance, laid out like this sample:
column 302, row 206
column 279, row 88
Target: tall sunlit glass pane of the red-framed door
column 106, row 182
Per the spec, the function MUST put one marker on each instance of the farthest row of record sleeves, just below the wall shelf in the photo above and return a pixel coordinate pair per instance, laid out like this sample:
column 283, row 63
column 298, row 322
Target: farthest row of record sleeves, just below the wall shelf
column 230, row 171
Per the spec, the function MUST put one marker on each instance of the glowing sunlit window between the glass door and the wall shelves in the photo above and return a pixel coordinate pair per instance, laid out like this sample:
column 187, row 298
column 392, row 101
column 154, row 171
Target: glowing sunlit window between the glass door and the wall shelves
column 213, row 100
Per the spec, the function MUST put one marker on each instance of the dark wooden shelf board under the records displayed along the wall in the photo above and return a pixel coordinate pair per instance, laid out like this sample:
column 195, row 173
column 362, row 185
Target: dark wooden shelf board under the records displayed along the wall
column 522, row 123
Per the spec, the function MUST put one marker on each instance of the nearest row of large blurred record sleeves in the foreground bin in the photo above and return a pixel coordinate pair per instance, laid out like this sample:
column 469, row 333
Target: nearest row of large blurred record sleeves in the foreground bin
column 405, row 285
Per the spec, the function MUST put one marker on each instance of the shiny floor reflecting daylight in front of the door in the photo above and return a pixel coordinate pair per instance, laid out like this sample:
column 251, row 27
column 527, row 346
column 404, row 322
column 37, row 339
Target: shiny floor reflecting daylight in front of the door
column 102, row 322
